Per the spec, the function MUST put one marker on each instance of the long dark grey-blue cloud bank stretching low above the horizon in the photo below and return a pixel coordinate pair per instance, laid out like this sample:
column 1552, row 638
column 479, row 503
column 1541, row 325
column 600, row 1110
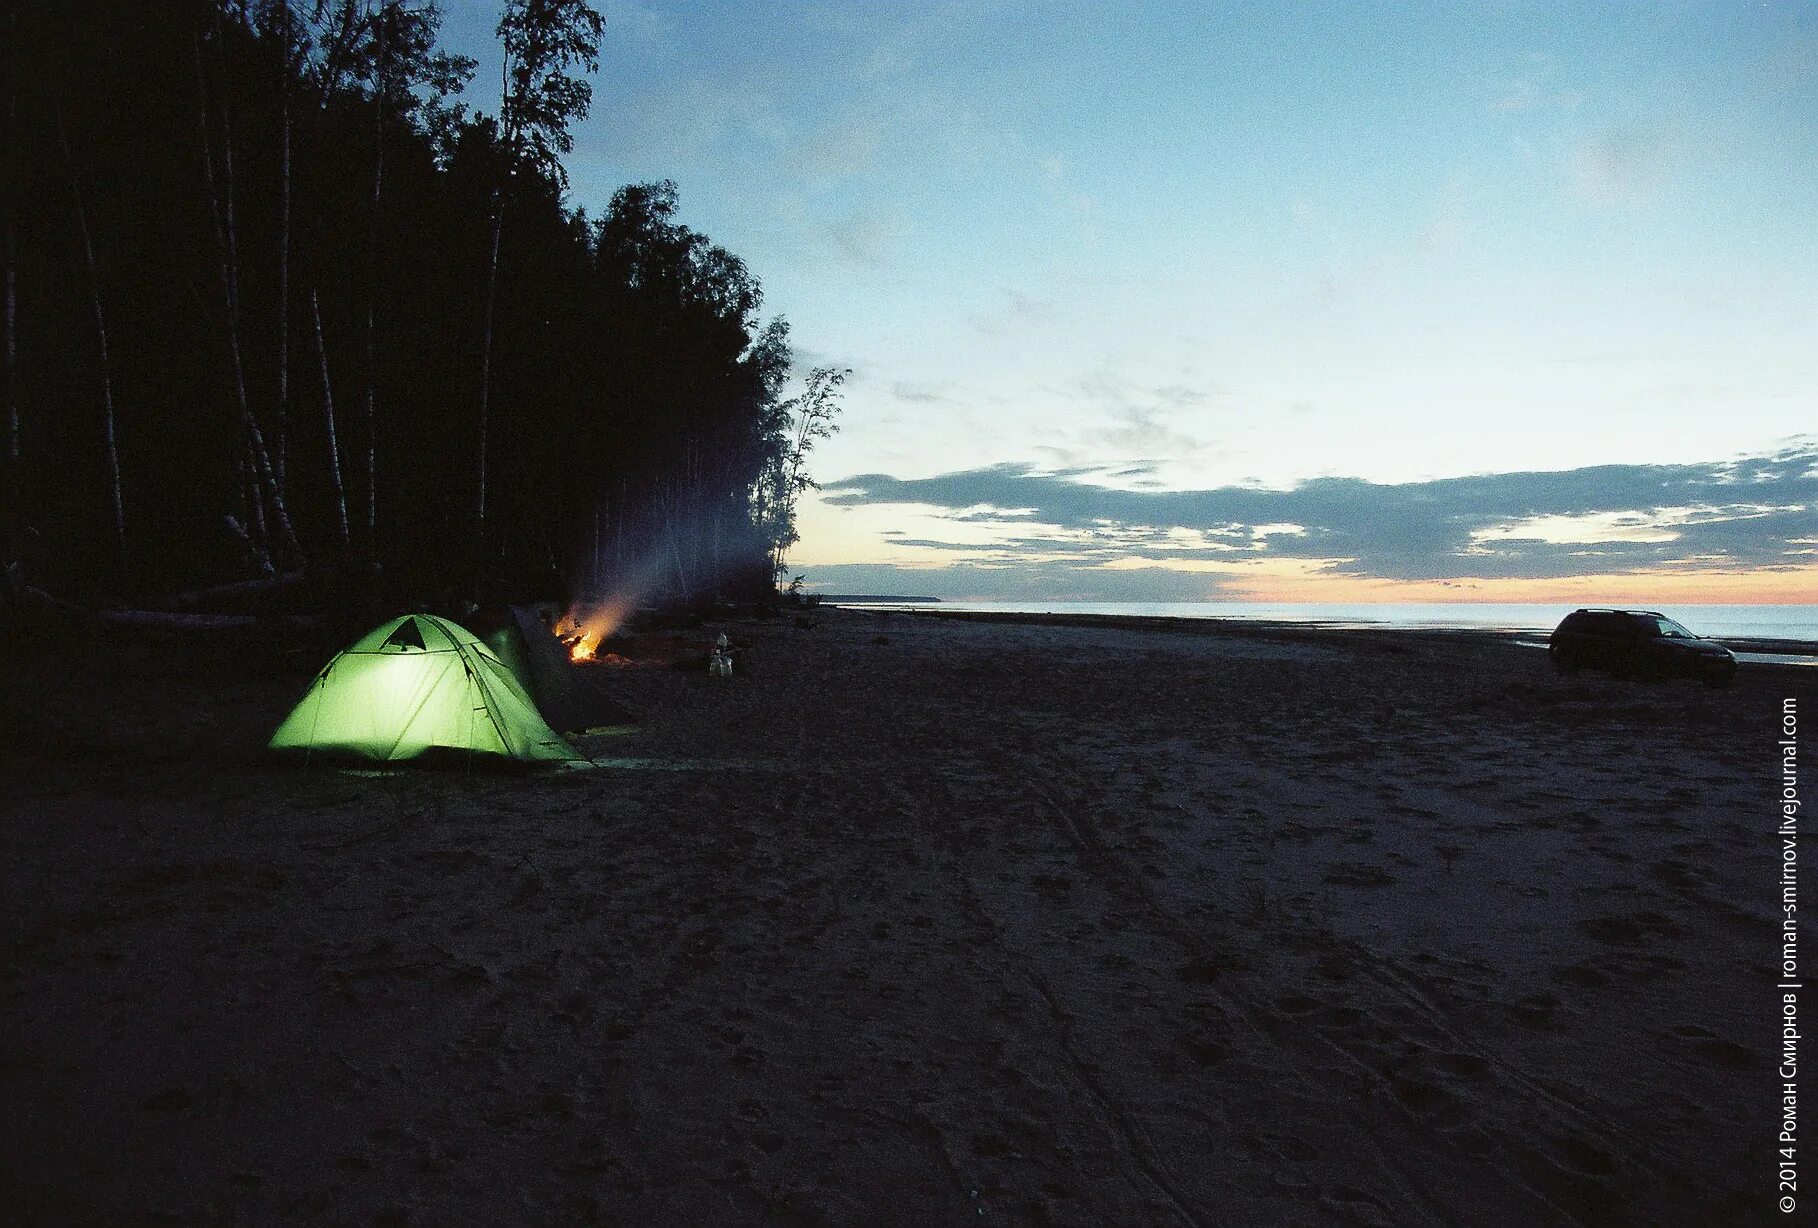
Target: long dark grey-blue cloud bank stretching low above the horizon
column 1608, row 519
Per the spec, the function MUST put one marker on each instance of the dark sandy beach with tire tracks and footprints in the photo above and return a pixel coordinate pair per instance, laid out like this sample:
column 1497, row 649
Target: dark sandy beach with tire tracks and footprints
column 914, row 921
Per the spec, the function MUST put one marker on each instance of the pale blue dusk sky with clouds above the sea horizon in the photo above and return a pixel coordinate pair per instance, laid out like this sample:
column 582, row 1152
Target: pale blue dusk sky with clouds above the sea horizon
column 1263, row 301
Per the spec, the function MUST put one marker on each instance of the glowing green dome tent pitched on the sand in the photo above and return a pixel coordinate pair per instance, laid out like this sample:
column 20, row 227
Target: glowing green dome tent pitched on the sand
column 417, row 685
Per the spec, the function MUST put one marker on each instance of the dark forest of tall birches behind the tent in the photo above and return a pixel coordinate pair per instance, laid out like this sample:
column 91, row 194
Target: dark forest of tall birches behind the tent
column 281, row 303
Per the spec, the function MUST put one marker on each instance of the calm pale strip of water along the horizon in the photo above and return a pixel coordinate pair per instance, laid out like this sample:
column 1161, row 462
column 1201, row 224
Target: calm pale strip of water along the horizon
column 1777, row 623
